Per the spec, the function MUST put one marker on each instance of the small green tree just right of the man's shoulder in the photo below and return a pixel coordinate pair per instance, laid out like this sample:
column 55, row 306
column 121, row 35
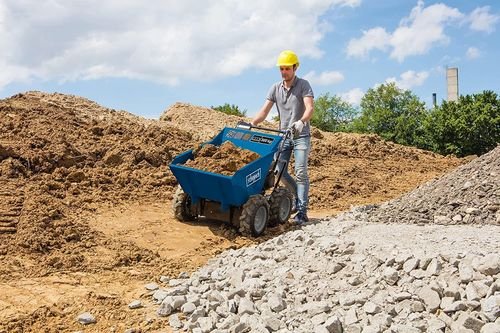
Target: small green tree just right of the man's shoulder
column 332, row 114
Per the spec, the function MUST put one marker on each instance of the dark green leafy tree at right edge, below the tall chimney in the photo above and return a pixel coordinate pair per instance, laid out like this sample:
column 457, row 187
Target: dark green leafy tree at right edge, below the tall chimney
column 469, row 126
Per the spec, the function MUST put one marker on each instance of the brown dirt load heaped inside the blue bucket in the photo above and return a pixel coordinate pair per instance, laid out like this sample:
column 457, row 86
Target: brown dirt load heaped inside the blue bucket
column 225, row 159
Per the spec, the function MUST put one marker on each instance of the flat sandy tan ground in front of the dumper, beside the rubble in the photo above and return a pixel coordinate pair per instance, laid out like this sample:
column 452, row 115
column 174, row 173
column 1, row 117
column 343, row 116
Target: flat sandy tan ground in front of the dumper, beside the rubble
column 58, row 298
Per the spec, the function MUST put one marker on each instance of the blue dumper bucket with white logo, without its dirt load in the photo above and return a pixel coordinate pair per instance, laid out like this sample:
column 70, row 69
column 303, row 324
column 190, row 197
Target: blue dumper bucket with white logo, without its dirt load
column 229, row 190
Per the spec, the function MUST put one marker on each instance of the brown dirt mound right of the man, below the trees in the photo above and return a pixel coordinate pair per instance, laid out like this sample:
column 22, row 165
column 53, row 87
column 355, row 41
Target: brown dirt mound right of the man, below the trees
column 352, row 169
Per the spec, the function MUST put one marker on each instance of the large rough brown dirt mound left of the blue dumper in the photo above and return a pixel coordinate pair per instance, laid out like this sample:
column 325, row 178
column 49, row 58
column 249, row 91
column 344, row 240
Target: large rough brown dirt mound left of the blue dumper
column 62, row 155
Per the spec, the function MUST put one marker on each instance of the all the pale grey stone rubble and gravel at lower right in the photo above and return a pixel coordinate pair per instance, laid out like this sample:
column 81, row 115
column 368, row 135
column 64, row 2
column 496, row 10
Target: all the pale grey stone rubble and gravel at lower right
column 347, row 275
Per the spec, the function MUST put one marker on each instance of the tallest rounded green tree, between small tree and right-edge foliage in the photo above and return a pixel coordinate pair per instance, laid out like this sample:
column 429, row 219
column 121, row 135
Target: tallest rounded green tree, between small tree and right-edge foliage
column 395, row 114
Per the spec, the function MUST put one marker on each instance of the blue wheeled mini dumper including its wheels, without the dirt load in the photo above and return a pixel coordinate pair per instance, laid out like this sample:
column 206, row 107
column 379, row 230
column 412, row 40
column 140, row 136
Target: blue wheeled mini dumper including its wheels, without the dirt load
column 239, row 199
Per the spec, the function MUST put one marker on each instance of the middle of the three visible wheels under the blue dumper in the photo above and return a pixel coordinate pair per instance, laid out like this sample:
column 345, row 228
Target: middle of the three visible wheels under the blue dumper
column 254, row 216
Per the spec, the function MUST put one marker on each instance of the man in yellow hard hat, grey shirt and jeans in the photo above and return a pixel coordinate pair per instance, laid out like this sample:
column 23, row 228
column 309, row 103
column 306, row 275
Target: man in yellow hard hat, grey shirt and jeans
column 294, row 101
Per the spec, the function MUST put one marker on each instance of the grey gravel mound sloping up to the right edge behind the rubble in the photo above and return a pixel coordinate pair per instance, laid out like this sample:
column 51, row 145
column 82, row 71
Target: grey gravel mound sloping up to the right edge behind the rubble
column 468, row 195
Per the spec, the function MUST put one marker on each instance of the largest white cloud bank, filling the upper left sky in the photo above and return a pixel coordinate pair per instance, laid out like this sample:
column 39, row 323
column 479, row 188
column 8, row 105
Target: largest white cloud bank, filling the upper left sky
column 163, row 41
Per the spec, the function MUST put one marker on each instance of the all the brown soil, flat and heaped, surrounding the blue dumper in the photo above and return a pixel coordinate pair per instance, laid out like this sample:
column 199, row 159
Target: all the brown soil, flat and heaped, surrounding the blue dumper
column 85, row 213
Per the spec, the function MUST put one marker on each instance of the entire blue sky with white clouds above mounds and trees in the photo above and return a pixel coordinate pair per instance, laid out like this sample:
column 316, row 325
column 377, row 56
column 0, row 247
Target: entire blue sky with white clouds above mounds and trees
column 144, row 56
